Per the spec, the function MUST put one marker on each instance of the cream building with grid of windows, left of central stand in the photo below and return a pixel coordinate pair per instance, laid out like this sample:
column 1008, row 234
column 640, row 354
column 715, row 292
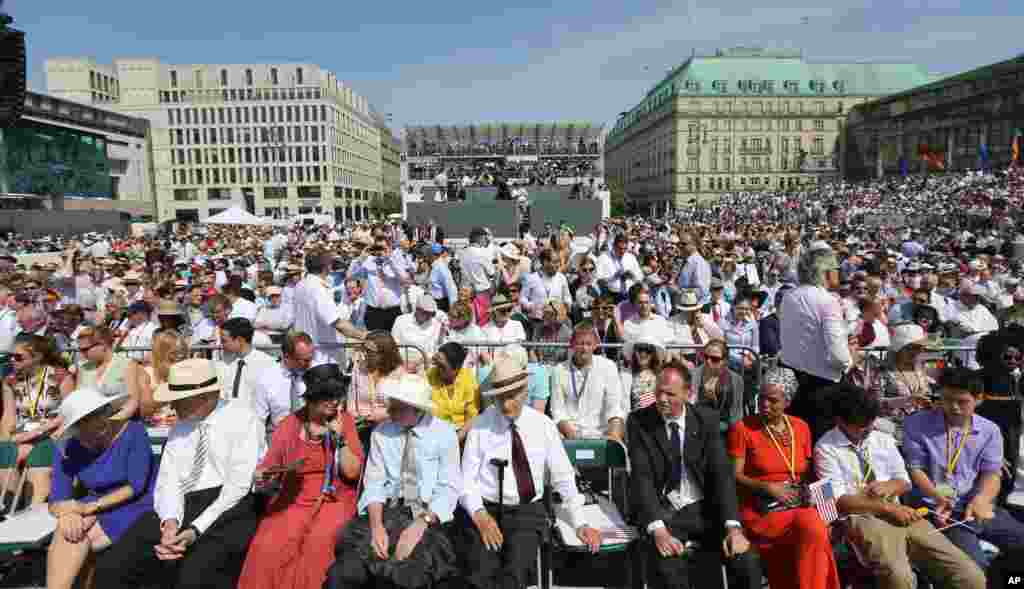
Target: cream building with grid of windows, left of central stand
column 277, row 140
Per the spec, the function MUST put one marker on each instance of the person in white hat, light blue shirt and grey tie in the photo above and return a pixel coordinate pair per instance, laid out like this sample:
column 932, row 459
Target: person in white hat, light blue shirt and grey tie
column 412, row 484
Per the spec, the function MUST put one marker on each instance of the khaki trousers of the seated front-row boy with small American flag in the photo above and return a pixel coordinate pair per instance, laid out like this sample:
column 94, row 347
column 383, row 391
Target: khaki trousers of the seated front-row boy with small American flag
column 891, row 551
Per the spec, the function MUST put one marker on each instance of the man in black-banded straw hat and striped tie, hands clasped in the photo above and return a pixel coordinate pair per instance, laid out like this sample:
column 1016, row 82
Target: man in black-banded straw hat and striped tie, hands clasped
column 204, row 515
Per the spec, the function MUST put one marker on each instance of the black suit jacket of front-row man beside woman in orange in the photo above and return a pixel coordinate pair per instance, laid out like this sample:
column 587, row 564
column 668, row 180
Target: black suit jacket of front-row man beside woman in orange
column 704, row 457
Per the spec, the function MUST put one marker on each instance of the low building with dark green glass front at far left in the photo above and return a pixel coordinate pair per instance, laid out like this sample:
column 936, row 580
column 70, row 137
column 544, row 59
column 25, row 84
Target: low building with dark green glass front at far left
column 63, row 154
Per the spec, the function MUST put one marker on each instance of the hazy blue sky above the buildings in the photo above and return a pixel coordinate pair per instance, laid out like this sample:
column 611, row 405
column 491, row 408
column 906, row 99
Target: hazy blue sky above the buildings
column 459, row 62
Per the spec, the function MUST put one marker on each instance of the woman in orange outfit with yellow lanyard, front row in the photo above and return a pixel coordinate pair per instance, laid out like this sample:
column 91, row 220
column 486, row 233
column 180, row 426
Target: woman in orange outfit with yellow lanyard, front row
column 773, row 455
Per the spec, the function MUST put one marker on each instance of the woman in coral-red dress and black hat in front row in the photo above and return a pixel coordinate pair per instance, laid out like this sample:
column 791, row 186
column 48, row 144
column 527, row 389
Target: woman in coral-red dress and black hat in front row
column 317, row 455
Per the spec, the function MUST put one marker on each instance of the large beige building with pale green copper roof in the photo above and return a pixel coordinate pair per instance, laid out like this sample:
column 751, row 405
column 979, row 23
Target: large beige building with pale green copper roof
column 742, row 119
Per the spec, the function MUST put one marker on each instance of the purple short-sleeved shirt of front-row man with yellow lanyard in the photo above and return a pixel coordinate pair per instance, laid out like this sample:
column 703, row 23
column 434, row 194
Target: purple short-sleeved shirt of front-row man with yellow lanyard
column 925, row 449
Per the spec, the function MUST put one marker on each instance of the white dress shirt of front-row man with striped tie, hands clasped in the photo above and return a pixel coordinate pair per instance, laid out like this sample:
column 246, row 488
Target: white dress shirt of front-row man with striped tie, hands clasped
column 236, row 441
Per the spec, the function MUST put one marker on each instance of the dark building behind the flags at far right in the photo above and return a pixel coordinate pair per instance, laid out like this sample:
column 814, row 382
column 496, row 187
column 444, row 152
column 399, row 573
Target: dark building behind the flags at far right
column 961, row 122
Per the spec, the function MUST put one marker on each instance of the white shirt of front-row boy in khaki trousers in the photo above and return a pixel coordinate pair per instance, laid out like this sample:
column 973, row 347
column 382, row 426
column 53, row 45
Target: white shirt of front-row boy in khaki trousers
column 836, row 458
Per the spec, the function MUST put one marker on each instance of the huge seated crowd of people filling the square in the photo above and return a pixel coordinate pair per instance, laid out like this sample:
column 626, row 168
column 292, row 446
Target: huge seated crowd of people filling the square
column 355, row 405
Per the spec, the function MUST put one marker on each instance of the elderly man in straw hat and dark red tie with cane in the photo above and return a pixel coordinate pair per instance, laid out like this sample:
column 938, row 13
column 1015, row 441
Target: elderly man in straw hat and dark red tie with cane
column 499, row 554
